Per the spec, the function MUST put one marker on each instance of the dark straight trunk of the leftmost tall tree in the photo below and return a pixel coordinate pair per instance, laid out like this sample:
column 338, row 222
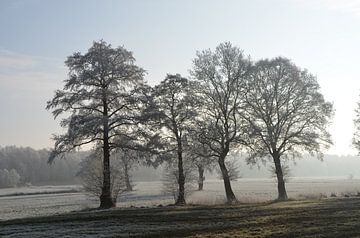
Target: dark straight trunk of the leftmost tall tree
column 106, row 200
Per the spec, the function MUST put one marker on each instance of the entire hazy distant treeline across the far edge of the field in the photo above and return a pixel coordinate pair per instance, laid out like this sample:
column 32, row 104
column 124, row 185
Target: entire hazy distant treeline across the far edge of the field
column 21, row 166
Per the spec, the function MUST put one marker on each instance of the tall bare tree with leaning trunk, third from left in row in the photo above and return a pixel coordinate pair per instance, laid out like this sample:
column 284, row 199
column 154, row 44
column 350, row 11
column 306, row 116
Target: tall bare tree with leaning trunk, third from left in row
column 222, row 74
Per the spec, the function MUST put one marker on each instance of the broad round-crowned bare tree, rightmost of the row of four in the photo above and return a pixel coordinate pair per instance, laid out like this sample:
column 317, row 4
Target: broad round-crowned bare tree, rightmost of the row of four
column 286, row 114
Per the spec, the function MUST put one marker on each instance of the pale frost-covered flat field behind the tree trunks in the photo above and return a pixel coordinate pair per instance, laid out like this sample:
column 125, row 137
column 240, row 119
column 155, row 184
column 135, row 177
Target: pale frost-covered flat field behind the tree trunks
column 149, row 194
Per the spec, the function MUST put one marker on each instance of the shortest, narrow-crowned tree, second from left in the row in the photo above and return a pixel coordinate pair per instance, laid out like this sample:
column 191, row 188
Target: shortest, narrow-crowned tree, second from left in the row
column 174, row 110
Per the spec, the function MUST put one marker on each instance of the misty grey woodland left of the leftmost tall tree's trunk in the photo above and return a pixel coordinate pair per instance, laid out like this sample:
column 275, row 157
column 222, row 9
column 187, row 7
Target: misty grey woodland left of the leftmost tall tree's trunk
column 21, row 166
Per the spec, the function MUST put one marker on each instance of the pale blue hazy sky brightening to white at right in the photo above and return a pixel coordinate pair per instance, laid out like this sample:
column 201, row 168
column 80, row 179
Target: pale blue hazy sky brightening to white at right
column 37, row 36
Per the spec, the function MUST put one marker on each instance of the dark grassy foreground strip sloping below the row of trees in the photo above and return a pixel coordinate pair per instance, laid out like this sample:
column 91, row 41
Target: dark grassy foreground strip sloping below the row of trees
column 332, row 217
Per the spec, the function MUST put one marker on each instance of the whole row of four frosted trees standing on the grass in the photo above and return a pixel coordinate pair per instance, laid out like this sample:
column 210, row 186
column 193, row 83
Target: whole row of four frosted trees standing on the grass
column 268, row 108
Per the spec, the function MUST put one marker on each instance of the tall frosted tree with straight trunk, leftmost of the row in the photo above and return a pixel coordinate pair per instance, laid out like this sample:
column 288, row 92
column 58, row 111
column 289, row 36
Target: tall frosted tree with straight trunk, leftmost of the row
column 102, row 98
